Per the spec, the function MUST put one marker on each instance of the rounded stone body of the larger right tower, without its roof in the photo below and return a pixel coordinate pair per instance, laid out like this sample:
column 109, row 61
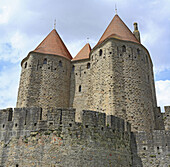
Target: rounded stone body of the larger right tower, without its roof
column 121, row 83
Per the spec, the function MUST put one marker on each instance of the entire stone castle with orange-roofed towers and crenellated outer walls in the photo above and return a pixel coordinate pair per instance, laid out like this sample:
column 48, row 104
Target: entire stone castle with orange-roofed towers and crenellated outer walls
column 97, row 109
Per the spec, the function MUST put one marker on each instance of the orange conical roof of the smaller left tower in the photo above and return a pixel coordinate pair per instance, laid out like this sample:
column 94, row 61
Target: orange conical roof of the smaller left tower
column 54, row 45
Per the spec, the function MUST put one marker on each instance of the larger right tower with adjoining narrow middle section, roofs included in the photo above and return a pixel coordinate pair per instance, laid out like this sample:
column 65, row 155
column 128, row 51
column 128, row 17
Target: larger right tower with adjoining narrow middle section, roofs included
column 116, row 78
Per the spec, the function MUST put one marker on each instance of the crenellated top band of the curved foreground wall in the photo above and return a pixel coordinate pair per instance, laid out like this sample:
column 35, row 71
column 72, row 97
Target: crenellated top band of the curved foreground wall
column 22, row 121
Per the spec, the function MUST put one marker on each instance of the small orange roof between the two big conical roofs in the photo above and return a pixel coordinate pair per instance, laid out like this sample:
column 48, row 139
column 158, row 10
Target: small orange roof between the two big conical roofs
column 84, row 53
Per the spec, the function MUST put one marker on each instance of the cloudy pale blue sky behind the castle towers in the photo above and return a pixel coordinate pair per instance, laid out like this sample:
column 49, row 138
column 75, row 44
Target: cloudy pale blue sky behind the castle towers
column 25, row 23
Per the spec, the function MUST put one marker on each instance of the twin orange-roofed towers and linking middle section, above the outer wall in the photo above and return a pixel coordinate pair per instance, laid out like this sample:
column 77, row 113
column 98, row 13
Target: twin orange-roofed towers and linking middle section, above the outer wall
column 115, row 77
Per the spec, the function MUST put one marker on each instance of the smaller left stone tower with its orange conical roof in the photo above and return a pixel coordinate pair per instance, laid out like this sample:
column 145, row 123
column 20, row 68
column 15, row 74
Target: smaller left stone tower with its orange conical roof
column 45, row 76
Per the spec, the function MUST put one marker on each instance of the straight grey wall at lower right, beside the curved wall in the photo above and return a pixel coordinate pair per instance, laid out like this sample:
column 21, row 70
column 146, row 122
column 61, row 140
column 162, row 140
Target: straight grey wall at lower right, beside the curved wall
column 154, row 151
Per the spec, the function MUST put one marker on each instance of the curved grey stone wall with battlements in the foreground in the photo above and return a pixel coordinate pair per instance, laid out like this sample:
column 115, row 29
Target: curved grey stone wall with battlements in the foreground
column 26, row 140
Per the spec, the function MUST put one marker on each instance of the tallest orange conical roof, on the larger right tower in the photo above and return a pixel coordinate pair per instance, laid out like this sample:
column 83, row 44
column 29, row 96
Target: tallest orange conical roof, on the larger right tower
column 118, row 29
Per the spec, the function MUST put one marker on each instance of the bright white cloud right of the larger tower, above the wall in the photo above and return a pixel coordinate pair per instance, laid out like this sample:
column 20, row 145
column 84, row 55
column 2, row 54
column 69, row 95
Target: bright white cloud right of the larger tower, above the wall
column 162, row 91
